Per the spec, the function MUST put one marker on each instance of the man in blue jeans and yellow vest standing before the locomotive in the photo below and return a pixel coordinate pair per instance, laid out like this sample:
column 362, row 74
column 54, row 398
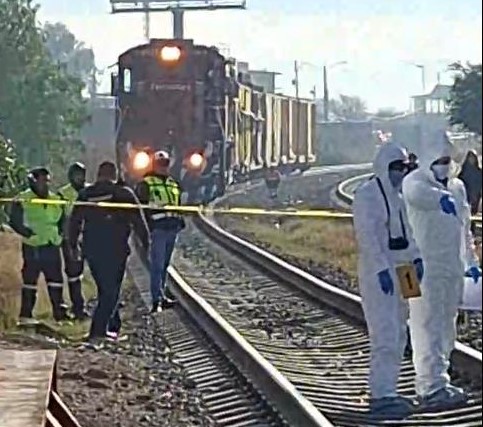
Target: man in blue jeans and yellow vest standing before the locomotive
column 159, row 188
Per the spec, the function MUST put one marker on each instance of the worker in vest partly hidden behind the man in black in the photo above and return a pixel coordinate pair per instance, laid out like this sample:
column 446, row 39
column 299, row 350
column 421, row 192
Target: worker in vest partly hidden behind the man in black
column 73, row 266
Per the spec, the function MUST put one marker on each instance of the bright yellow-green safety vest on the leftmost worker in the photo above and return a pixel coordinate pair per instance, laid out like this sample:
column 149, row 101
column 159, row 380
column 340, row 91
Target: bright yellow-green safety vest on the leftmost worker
column 43, row 220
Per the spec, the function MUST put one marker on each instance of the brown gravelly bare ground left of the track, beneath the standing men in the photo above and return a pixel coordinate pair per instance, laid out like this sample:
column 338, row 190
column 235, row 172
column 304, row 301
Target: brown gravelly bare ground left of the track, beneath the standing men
column 130, row 384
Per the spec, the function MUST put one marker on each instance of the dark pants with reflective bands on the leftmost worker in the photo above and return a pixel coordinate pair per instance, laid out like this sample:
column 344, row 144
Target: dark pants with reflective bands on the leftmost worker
column 46, row 260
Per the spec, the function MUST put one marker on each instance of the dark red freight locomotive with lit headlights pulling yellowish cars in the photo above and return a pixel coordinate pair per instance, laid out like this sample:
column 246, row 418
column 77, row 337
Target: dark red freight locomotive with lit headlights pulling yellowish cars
column 189, row 100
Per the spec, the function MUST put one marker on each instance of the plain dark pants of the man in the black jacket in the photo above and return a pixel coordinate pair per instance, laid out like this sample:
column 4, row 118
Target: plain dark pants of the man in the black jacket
column 108, row 273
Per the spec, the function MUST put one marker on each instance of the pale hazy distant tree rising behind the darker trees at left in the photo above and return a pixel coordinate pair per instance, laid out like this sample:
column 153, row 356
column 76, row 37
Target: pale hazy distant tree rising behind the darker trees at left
column 66, row 50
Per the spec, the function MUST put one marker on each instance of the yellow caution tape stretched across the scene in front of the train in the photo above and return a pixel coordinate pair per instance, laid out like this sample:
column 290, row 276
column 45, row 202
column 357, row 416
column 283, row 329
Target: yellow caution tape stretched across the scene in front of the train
column 309, row 213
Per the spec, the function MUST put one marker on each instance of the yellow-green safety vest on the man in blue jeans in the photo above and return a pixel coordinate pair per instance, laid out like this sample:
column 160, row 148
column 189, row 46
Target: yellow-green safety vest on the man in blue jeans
column 163, row 192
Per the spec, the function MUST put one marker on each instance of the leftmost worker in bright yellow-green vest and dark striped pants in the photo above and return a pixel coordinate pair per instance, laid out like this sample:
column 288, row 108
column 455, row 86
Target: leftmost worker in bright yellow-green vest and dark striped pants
column 40, row 226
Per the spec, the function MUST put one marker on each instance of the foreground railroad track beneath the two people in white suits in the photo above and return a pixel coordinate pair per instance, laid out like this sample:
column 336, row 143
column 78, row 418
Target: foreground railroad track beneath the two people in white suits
column 300, row 342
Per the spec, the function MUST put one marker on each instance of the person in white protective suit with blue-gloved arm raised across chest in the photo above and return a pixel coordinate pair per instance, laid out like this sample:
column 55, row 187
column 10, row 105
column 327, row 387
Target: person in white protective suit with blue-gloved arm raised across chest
column 439, row 216
